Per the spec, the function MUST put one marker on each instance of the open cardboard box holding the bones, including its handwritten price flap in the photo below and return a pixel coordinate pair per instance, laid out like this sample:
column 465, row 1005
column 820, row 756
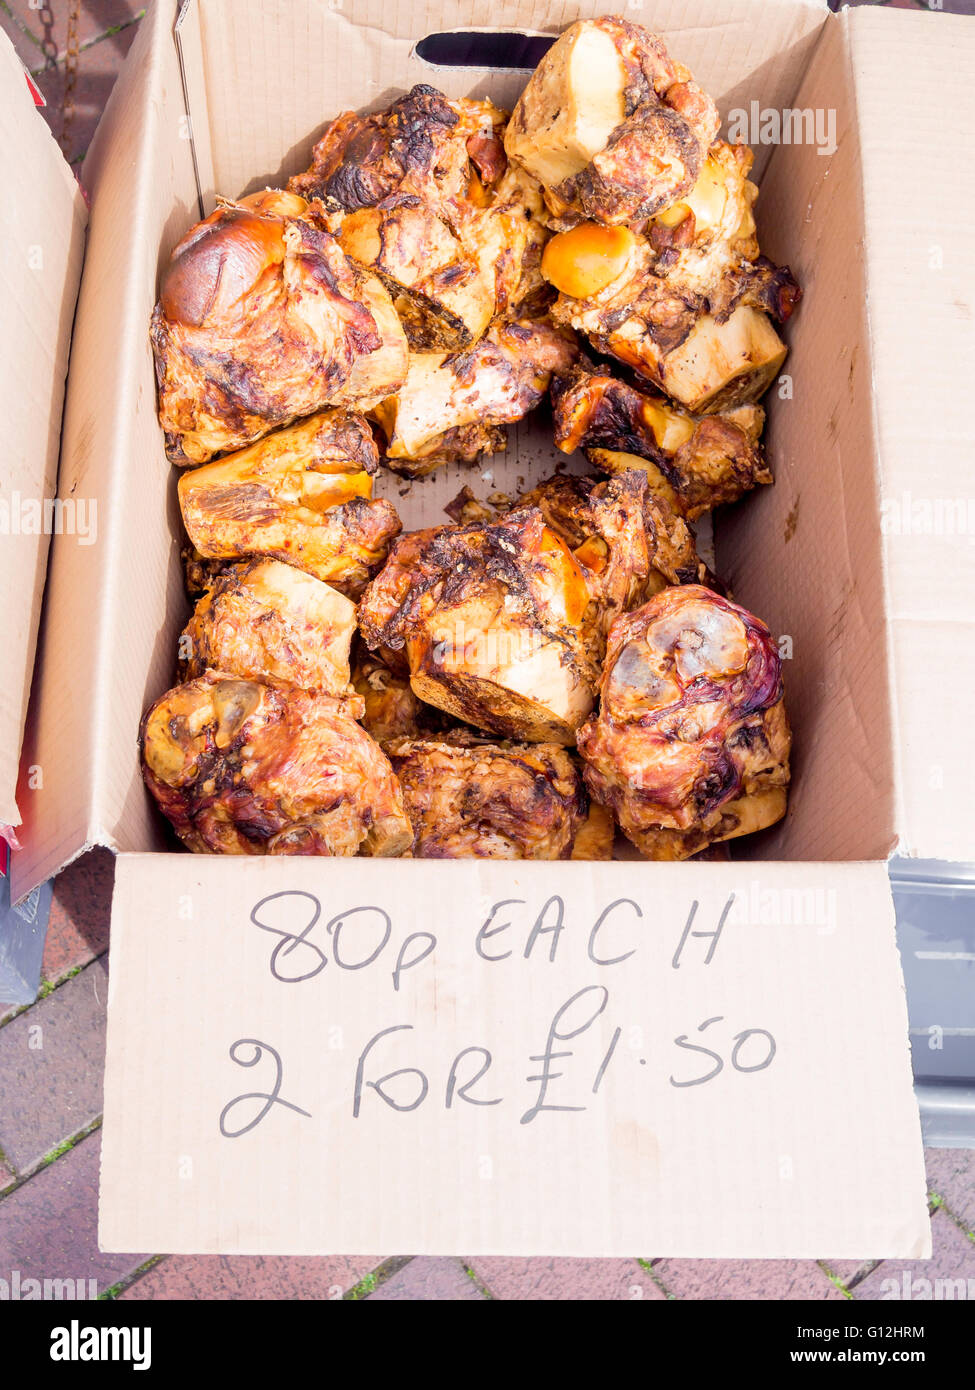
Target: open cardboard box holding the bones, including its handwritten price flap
column 294, row 1064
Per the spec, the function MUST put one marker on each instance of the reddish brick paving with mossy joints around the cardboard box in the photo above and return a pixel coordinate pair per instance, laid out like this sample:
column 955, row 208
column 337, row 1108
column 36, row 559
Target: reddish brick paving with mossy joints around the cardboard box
column 51, row 1093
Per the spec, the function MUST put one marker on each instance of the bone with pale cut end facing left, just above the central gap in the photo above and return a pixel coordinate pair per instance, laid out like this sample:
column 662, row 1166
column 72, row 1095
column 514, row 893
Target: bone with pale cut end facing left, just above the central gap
column 451, row 407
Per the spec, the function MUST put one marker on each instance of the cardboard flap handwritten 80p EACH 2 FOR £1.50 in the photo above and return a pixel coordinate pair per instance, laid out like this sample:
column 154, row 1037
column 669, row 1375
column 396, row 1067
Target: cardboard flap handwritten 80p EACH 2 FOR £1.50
column 567, row 1060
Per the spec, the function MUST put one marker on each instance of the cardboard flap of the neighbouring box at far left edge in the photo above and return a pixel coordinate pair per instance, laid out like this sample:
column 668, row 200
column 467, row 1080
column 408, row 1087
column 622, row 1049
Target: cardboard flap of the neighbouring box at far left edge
column 44, row 240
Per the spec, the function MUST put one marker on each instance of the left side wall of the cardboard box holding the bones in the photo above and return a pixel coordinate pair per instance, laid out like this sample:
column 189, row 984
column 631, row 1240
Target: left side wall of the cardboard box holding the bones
column 140, row 174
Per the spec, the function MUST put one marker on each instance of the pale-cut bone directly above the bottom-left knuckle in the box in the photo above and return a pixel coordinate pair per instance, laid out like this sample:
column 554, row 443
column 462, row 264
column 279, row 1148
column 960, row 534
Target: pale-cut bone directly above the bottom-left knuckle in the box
column 266, row 621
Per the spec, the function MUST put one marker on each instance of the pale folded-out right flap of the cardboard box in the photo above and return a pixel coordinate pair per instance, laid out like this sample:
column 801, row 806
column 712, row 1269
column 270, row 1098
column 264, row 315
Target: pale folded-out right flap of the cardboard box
column 921, row 309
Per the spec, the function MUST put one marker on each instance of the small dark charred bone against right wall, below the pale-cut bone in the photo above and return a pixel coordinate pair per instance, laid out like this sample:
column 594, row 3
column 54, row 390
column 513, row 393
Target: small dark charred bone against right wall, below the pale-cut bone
column 695, row 462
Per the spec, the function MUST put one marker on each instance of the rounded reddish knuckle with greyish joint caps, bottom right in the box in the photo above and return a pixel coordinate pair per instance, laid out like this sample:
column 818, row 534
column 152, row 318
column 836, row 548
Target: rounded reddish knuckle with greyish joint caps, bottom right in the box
column 692, row 740
